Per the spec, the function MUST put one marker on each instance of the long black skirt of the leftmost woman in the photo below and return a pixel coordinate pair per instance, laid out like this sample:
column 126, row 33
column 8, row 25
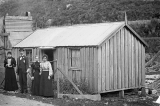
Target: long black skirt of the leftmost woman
column 10, row 80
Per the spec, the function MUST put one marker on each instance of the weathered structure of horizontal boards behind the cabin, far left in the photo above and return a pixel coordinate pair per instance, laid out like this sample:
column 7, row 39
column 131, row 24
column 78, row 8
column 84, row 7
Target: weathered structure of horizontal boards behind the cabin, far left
column 13, row 29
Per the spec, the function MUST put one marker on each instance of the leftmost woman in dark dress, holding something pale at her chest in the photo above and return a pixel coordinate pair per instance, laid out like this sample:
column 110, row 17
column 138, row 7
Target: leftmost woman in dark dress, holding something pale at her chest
column 10, row 77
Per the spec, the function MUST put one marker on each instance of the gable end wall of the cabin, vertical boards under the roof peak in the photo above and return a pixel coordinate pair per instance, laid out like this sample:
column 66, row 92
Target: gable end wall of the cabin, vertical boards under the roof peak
column 121, row 62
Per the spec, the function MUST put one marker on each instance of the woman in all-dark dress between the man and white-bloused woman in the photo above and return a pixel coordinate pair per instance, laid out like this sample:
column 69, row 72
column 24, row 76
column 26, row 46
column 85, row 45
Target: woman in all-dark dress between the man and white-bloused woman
column 35, row 71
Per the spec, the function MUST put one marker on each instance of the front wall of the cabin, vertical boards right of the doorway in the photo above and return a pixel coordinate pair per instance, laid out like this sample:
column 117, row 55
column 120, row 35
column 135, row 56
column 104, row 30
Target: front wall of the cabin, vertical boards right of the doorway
column 87, row 66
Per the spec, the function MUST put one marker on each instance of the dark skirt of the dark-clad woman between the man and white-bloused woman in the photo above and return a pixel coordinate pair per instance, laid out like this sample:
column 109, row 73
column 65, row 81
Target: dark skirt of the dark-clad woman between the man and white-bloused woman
column 36, row 84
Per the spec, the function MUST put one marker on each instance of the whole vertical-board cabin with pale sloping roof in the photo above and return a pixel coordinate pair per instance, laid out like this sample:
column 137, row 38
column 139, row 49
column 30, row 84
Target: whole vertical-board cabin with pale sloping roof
column 107, row 56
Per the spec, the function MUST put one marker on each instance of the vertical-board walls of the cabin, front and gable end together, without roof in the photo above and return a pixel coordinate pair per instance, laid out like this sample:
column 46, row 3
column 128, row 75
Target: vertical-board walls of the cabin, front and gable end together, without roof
column 117, row 64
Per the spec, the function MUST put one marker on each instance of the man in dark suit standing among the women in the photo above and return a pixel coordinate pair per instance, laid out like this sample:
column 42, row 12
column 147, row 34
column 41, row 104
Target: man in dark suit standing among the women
column 22, row 66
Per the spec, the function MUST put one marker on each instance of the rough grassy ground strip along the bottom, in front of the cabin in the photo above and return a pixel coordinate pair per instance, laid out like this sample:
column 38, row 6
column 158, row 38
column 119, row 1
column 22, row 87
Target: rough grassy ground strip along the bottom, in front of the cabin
column 132, row 100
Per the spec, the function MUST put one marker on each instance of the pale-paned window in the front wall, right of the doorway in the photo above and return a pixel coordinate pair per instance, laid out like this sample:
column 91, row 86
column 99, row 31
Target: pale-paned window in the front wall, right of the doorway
column 75, row 58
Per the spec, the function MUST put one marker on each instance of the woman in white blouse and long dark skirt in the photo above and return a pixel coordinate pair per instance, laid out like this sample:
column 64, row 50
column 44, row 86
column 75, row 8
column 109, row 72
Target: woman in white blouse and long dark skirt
column 46, row 73
